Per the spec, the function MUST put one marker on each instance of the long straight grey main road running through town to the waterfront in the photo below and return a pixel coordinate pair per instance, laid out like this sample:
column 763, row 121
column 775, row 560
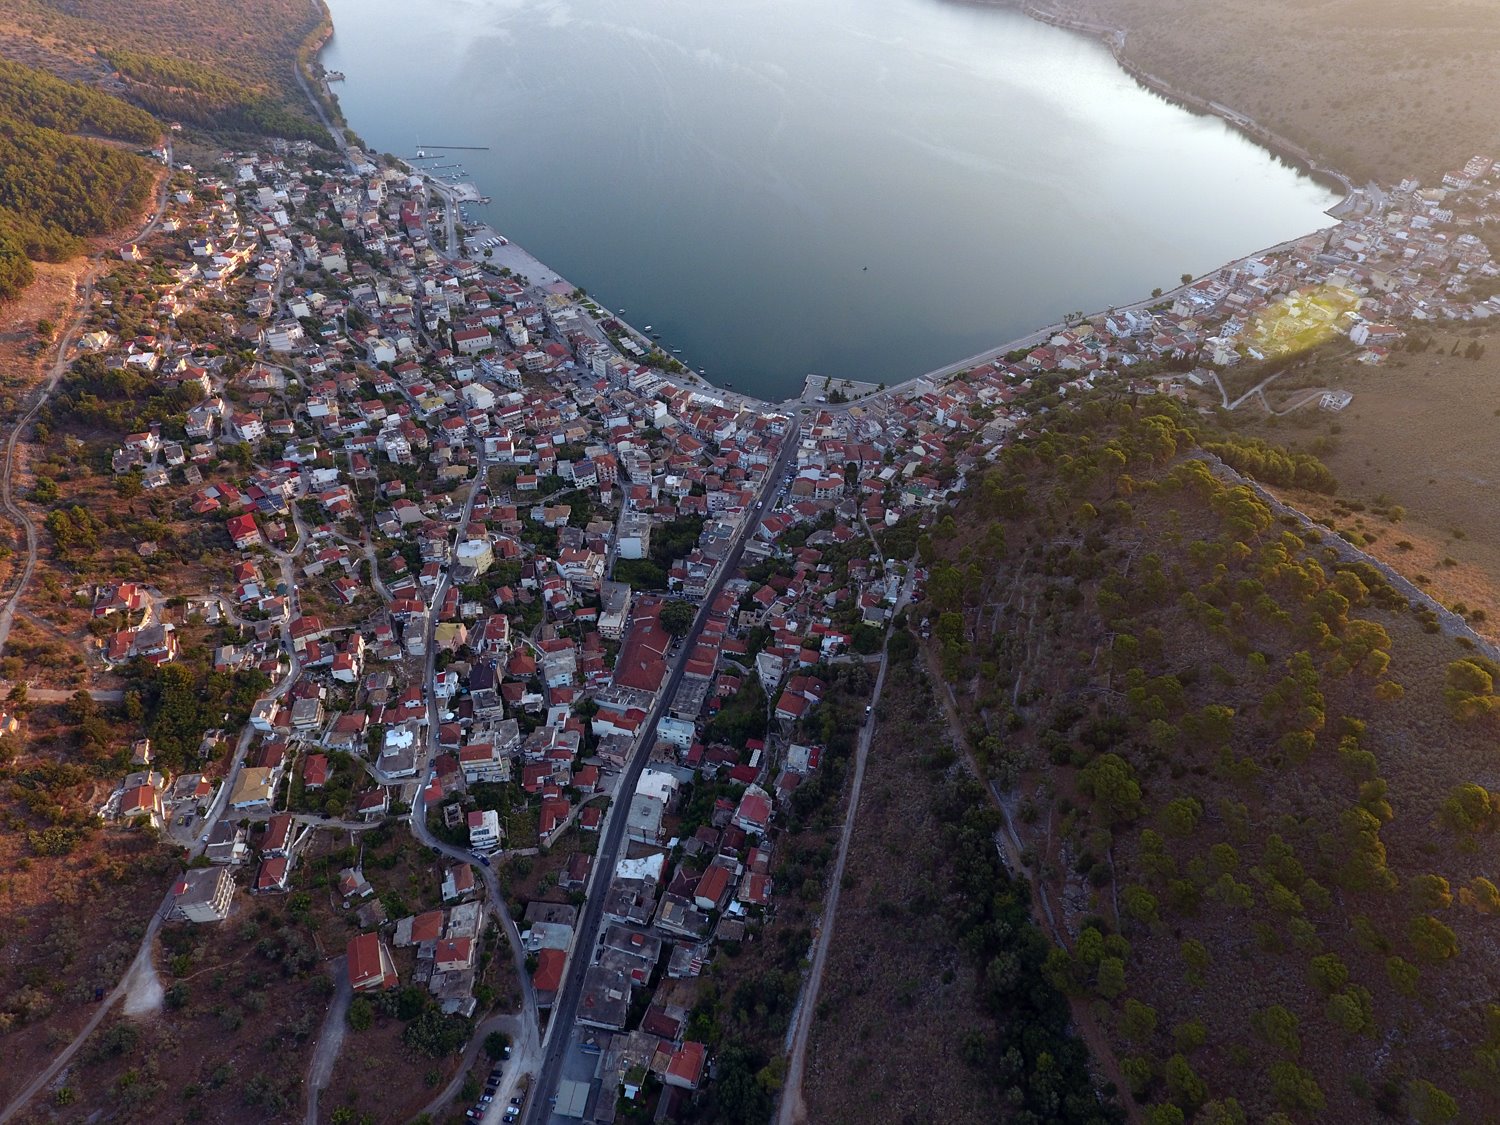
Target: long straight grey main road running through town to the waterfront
column 565, row 1010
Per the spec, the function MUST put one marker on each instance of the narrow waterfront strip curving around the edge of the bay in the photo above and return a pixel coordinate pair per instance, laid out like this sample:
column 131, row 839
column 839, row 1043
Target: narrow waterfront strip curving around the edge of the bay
column 1114, row 38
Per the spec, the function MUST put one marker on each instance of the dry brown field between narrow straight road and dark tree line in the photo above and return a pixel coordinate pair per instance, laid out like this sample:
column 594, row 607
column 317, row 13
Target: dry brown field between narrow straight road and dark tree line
column 898, row 995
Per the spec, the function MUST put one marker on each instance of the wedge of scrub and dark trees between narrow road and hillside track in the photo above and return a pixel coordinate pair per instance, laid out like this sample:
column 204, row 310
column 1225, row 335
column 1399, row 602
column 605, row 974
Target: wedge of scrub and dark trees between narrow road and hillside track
column 934, row 1004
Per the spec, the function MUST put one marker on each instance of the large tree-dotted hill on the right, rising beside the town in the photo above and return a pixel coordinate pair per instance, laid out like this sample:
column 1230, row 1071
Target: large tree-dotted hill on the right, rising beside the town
column 1253, row 782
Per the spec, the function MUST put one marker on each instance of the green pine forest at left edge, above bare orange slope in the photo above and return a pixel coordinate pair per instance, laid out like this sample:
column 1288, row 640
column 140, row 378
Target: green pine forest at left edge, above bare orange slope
column 58, row 190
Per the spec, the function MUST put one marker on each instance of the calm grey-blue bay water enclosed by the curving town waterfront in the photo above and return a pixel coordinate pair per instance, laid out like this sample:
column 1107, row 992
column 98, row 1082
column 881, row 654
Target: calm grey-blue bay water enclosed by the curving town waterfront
column 857, row 188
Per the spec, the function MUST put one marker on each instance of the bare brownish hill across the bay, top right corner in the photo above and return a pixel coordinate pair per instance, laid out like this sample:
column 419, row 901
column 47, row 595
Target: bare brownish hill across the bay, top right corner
column 1375, row 88
